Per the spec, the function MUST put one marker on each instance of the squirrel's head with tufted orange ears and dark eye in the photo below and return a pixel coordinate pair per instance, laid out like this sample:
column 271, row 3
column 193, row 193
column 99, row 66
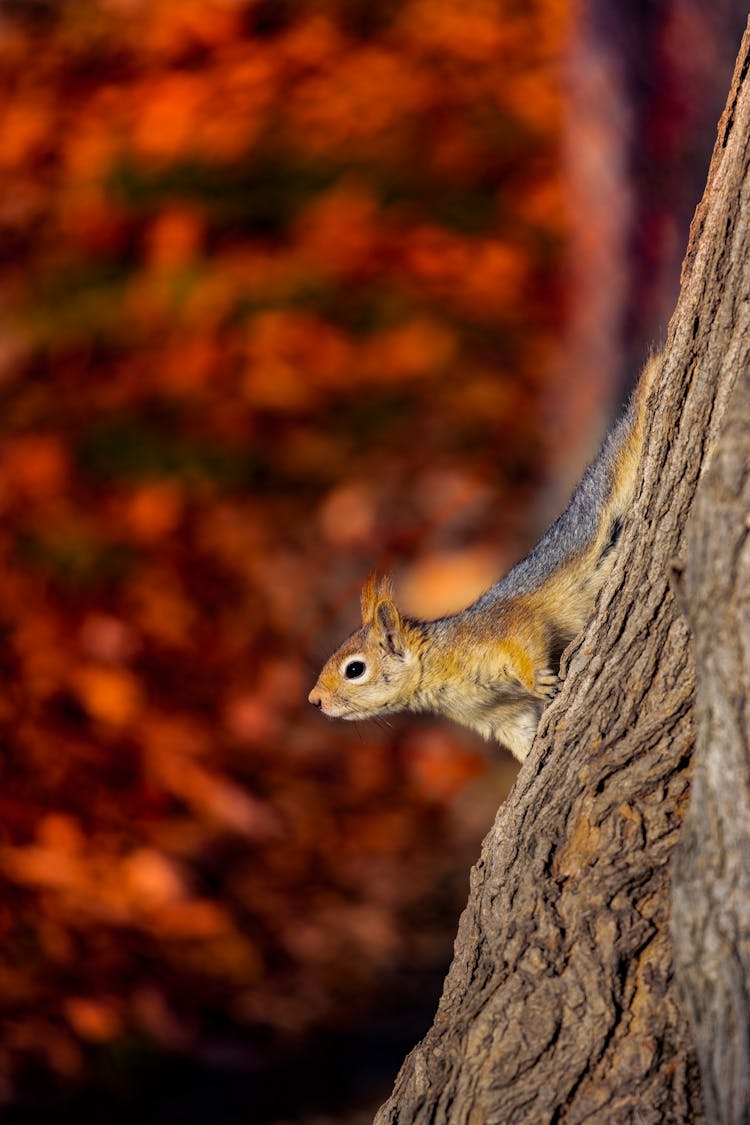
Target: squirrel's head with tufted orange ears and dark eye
column 375, row 672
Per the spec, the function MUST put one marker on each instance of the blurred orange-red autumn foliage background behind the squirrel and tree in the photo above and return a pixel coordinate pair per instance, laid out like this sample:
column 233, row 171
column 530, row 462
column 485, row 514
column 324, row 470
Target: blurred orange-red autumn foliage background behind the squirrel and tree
column 290, row 290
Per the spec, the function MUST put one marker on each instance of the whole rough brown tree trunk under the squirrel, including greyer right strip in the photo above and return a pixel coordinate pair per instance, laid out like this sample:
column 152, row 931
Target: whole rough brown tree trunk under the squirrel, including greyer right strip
column 562, row 1003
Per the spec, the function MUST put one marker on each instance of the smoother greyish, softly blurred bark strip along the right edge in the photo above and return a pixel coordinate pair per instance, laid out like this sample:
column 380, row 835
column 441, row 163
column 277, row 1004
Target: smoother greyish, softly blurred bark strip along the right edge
column 711, row 893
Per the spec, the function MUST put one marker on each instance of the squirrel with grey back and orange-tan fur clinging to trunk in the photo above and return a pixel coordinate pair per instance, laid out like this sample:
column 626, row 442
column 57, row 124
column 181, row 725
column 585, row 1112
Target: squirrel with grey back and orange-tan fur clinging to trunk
column 494, row 667
